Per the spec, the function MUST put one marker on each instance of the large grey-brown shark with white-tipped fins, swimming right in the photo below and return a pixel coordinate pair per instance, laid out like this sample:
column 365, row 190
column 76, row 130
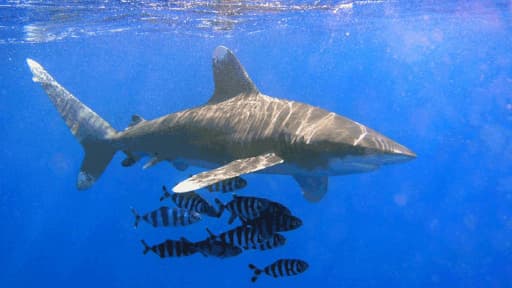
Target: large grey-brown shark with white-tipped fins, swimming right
column 238, row 131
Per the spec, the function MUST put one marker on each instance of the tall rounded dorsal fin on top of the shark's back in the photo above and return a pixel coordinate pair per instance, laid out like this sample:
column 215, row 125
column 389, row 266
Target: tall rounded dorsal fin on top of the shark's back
column 230, row 77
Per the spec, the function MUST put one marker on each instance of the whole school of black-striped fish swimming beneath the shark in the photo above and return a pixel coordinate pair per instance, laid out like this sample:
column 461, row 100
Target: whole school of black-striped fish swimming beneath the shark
column 261, row 220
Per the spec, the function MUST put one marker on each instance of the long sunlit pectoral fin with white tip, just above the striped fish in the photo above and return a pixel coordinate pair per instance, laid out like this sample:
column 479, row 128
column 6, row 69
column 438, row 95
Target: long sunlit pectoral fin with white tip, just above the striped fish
column 228, row 171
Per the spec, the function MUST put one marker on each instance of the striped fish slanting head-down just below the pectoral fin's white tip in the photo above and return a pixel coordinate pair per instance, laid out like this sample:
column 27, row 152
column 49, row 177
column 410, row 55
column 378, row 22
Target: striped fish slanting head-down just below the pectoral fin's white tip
column 191, row 201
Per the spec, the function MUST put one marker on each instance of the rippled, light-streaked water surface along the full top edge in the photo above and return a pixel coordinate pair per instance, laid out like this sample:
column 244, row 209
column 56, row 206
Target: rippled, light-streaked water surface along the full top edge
column 43, row 21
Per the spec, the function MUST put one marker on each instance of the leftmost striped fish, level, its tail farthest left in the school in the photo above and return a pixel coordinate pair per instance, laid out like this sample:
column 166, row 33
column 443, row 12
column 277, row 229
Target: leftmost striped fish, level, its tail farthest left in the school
column 165, row 216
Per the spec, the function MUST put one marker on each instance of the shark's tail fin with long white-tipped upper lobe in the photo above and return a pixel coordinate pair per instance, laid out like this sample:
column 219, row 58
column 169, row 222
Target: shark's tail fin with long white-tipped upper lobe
column 89, row 129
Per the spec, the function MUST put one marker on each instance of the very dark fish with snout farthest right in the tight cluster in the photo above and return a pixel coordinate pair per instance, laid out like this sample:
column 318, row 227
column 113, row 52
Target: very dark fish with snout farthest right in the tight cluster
column 271, row 223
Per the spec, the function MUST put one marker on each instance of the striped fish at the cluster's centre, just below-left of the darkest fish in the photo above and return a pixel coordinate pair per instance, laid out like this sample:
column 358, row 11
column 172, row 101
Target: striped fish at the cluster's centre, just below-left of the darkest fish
column 241, row 236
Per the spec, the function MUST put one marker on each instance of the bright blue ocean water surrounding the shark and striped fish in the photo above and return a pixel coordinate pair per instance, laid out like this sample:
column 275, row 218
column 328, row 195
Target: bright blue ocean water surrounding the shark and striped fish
column 435, row 77
